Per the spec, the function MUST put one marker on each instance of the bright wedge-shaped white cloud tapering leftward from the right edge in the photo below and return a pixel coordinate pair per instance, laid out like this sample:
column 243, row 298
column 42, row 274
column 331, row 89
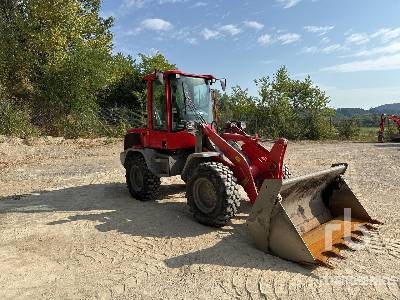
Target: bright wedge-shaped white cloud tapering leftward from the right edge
column 391, row 62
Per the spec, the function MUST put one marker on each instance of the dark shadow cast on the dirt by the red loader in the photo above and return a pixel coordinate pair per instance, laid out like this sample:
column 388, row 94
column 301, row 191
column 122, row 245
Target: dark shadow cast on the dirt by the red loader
column 111, row 208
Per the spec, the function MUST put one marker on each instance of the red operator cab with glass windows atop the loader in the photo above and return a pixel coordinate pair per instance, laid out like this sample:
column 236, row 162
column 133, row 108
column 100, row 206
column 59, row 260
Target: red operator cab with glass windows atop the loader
column 176, row 101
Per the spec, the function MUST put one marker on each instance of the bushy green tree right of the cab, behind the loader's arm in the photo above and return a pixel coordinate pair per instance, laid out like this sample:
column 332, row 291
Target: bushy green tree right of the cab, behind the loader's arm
column 292, row 108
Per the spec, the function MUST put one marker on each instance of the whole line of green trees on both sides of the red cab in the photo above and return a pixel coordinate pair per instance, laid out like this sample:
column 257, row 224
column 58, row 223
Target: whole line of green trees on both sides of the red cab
column 60, row 77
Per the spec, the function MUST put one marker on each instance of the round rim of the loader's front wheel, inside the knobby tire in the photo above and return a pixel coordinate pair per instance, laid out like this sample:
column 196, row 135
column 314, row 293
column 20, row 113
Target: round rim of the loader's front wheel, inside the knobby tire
column 204, row 195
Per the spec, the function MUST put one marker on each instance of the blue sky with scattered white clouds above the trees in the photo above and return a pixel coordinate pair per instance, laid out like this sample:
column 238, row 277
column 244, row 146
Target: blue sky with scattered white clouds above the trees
column 350, row 48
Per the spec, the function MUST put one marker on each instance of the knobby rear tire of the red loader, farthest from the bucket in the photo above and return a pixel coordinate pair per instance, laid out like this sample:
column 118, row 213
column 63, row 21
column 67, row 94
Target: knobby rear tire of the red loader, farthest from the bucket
column 143, row 185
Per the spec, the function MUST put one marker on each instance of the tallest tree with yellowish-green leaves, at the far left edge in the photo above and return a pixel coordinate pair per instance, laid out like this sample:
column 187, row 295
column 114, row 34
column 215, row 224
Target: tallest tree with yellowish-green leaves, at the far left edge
column 56, row 56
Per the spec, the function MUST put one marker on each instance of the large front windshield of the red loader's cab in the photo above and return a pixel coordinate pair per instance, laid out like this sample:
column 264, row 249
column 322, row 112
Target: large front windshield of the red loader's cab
column 195, row 106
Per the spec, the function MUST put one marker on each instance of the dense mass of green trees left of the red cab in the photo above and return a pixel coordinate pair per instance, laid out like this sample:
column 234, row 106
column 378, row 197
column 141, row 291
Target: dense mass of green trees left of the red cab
column 58, row 73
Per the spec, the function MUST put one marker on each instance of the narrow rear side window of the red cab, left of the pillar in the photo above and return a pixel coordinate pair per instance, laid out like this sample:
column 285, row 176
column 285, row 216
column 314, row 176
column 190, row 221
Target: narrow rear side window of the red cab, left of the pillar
column 159, row 106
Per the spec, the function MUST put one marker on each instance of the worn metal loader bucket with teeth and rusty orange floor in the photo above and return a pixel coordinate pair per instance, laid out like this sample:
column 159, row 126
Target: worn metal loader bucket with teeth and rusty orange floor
column 308, row 219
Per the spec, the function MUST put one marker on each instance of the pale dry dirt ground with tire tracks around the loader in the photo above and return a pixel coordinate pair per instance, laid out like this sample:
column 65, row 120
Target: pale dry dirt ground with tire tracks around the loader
column 69, row 229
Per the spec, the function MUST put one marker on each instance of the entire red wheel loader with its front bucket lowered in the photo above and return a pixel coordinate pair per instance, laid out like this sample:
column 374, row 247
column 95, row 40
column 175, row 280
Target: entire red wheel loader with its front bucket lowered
column 305, row 219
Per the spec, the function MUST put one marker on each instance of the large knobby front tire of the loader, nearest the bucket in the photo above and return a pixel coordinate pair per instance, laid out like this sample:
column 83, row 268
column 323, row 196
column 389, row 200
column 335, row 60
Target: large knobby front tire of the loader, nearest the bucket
column 212, row 194
